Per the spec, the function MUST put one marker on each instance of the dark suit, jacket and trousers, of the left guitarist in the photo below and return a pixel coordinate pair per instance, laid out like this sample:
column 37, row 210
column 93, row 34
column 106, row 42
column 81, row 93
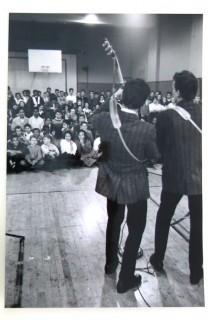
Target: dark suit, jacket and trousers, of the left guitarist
column 124, row 181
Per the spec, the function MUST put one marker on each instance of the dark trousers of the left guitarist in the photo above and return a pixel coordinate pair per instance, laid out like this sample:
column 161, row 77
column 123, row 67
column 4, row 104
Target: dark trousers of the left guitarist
column 136, row 221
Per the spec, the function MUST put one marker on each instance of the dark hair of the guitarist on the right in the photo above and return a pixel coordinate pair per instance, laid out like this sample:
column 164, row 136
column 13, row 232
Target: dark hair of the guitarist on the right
column 186, row 83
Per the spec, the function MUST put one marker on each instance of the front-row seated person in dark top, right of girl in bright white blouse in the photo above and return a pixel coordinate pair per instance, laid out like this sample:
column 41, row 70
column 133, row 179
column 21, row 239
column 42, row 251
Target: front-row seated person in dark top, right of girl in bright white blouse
column 84, row 149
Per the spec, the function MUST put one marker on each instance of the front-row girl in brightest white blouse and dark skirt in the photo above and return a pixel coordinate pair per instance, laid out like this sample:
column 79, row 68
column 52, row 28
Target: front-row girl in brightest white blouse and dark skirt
column 68, row 151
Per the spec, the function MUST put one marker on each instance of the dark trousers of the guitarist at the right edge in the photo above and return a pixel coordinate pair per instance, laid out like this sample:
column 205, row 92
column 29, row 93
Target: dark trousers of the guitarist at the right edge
column 165, row 213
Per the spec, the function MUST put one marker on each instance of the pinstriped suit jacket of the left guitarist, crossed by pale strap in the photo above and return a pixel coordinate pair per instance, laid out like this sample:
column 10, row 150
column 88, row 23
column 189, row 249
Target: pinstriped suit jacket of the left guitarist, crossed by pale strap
column 120, row 177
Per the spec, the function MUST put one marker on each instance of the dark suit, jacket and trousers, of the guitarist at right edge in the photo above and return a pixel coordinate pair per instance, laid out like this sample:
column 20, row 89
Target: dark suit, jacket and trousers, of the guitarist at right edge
column 180, row 145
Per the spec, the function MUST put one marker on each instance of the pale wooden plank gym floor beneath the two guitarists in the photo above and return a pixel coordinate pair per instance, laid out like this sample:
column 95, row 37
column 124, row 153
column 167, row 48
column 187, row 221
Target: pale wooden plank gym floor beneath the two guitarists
column 60, row 263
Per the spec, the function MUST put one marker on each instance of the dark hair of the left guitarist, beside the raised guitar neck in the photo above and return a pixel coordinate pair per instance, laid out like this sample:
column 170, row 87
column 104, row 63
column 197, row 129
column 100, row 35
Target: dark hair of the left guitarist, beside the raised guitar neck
column 135, row 93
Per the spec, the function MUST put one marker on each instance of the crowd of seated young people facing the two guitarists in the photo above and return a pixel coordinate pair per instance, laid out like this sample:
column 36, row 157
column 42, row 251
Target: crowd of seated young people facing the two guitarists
column 53, row 129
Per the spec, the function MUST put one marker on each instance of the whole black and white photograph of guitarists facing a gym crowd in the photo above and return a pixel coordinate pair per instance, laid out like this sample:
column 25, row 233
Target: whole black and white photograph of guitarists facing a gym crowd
column 104, row 161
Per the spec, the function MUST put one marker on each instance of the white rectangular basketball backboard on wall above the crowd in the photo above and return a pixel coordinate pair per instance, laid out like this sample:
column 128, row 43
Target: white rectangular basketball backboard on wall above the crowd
column 45, row 61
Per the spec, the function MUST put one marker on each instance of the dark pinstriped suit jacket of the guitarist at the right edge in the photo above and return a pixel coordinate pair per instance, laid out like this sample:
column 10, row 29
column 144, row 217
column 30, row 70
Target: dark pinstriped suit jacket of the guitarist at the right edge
column 180, row 145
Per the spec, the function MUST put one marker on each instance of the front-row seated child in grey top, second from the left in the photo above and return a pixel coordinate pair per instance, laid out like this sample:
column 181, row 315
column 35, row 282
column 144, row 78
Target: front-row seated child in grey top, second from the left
column 34, row 158
